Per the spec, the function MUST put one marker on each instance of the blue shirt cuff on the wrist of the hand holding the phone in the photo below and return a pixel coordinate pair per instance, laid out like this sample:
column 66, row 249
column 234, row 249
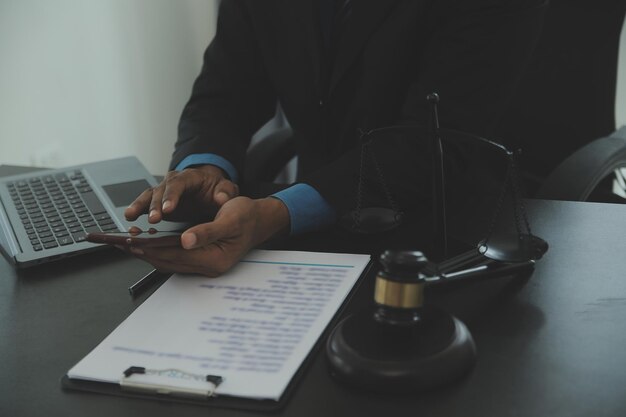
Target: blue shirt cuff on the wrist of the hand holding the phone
column 308, row 211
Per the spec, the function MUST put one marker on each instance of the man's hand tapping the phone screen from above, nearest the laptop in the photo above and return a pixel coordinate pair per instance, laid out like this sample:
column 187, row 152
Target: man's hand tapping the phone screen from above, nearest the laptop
column 184, row 195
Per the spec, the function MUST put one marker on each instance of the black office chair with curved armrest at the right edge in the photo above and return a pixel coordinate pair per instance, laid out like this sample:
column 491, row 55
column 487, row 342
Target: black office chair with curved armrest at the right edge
column 563, row 114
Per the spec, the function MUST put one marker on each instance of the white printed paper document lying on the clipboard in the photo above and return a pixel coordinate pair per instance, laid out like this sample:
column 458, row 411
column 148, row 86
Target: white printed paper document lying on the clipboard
column 254, row 326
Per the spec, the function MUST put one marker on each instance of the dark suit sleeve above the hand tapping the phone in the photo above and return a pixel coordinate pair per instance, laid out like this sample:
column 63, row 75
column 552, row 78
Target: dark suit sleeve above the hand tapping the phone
column 231, row 98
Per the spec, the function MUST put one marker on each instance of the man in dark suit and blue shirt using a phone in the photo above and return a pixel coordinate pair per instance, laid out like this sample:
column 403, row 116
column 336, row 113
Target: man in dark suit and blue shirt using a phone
column 335, row 66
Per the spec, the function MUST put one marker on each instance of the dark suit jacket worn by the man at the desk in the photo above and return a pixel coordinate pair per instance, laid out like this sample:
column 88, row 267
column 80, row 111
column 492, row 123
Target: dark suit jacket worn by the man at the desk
column 391, row 55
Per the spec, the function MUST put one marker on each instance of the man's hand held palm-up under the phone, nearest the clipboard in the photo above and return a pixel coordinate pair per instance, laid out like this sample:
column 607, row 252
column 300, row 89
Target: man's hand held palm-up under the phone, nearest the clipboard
column 213, row 248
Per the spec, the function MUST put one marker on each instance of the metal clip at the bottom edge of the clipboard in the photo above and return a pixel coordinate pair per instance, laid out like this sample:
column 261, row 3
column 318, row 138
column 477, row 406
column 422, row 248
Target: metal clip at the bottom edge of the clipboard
column 170, row 381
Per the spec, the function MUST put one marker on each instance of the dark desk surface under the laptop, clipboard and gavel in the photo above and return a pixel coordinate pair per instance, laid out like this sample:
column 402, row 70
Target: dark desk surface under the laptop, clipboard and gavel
column 554, row 346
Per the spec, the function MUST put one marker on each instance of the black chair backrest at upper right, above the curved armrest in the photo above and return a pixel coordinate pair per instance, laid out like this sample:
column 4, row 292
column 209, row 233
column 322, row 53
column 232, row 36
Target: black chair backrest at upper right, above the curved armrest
column 566, row 98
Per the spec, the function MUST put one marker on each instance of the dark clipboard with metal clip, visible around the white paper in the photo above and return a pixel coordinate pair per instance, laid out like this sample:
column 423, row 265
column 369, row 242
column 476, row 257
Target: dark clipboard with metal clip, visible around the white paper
column 205, row 395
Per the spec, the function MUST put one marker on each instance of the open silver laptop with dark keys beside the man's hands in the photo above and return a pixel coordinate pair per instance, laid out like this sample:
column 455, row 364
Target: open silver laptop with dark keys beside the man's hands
column 46, row 215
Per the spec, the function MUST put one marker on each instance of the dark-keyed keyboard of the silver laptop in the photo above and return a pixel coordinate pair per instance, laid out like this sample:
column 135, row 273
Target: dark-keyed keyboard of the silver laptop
column 59, row 210
